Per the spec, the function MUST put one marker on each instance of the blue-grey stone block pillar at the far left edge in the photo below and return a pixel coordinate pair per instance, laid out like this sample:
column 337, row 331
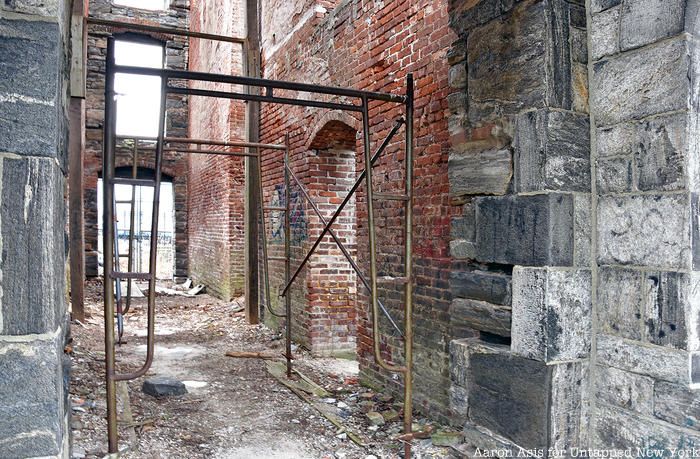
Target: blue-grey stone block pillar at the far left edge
column 33, row 162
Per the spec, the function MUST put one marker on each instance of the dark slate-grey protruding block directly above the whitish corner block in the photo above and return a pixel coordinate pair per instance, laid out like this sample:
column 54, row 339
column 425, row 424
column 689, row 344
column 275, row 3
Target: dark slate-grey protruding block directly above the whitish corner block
column 533, row 230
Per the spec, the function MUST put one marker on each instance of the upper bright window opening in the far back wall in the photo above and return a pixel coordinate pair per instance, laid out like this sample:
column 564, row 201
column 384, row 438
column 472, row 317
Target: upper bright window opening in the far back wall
column 138, row 96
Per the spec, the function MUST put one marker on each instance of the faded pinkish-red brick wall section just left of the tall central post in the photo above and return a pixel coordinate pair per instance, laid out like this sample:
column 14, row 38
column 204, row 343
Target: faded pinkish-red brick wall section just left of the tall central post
column 215, row 198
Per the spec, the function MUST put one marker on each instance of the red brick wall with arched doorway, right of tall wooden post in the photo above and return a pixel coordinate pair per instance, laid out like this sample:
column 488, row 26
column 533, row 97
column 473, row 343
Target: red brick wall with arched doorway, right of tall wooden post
column 368, row 45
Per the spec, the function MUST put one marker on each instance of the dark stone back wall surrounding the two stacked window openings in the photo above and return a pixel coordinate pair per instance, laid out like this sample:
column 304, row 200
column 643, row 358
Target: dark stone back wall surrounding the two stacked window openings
column 174, row 164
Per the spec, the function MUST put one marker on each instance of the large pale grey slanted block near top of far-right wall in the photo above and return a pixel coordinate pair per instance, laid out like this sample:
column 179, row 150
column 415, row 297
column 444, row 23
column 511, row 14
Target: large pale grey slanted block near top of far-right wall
column 646, row 82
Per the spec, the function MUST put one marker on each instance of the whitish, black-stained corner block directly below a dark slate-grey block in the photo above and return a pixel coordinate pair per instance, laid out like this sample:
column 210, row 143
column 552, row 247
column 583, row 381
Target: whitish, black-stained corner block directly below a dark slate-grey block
column 551, row 313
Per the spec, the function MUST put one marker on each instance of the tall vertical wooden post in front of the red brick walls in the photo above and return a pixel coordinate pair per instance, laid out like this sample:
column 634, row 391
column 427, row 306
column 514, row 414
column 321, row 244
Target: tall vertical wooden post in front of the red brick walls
column 252, row 214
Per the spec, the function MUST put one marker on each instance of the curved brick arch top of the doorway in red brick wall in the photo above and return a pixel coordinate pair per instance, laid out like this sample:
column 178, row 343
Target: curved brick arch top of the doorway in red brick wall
column 334, row 129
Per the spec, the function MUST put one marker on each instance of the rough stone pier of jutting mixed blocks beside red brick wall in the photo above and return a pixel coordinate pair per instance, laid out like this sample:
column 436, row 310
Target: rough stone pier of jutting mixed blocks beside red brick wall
column 519, row 169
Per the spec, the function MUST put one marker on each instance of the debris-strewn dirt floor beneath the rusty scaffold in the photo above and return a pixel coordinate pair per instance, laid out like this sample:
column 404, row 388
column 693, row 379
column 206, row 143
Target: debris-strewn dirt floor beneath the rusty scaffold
column 234, row 407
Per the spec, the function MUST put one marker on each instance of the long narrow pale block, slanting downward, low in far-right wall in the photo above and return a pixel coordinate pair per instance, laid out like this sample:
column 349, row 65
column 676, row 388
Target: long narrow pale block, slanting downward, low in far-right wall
column 659, row 362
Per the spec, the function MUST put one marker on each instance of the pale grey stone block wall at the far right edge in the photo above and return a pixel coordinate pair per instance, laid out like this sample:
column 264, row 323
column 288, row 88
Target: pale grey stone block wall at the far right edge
column 644, row 105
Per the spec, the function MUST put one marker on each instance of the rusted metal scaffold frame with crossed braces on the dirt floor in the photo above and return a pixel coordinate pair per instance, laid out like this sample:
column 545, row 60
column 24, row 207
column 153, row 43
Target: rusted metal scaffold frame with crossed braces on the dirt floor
column 268, row 88
